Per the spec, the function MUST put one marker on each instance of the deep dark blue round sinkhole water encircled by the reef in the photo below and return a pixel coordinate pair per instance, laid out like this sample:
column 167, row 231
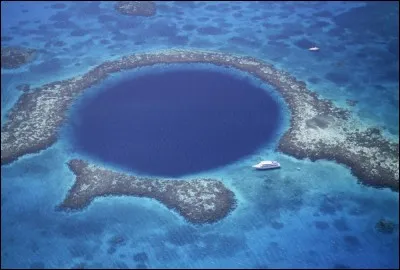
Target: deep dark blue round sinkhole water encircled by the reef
column 177, row 122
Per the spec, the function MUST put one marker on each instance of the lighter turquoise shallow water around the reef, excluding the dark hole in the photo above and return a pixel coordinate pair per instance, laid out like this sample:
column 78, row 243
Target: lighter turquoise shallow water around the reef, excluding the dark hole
column 306, row 215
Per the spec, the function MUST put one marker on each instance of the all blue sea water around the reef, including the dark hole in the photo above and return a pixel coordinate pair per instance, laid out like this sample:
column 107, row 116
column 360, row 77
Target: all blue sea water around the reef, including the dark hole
column 191, row 121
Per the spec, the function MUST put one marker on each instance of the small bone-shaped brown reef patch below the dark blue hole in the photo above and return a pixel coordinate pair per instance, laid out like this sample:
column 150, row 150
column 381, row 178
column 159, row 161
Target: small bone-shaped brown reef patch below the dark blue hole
column 198, row 201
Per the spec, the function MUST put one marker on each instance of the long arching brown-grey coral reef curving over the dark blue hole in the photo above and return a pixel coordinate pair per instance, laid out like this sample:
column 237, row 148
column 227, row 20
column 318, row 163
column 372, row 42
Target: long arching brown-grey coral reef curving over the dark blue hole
column 318, row 129
